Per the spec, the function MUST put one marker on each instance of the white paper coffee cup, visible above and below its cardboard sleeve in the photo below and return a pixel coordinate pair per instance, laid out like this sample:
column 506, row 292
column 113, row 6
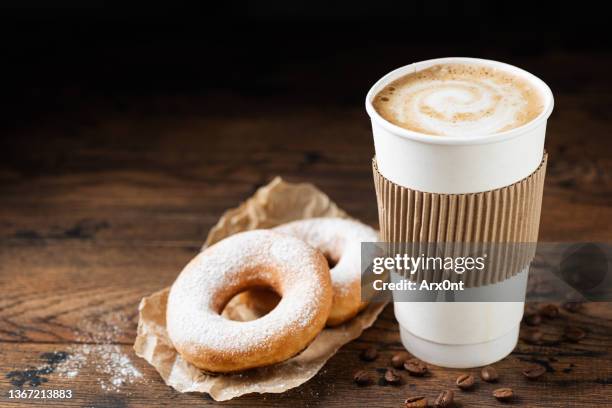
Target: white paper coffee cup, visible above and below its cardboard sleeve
column 459, row 334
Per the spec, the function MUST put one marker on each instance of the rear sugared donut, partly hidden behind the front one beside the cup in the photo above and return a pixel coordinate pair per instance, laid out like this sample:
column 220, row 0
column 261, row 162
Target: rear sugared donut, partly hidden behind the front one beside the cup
column 340, row 241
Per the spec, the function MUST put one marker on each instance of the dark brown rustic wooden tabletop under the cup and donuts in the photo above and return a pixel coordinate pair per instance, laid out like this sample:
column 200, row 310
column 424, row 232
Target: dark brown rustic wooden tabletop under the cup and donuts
column 104, row 205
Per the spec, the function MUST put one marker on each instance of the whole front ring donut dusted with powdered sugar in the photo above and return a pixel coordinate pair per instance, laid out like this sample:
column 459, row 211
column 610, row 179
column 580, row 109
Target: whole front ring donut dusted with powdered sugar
column 259, row 258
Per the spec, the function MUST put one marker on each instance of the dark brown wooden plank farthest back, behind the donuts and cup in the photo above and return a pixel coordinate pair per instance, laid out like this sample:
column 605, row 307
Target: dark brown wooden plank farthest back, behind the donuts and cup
column 211, row 164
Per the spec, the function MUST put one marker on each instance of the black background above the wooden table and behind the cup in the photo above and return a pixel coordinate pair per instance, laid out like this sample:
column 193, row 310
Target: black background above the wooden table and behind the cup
column 66, row 57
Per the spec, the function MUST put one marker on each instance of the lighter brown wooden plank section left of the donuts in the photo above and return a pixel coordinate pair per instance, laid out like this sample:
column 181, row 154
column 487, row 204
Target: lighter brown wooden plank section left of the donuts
column 72, row 293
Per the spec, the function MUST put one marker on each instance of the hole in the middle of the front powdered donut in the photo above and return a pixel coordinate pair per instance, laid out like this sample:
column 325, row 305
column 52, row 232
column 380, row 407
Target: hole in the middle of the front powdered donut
column 251, row 304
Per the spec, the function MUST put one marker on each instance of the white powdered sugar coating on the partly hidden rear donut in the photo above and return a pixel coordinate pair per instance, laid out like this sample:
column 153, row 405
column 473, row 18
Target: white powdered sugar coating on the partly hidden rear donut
column 340, row 239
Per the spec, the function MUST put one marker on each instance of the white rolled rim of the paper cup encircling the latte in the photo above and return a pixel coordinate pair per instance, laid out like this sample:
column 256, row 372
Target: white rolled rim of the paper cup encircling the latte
column 459, row 140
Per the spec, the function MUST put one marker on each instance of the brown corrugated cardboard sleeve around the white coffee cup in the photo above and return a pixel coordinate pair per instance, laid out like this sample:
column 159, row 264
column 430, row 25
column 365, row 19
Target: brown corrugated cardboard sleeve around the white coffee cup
column 501, row 223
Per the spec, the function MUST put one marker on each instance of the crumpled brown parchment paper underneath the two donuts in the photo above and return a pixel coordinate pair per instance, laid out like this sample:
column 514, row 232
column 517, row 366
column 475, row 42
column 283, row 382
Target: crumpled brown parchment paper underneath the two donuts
column 274, row 204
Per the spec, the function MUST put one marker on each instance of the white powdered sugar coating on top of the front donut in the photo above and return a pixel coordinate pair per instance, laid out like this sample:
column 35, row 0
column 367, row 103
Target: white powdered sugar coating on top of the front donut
column 193, row 316
